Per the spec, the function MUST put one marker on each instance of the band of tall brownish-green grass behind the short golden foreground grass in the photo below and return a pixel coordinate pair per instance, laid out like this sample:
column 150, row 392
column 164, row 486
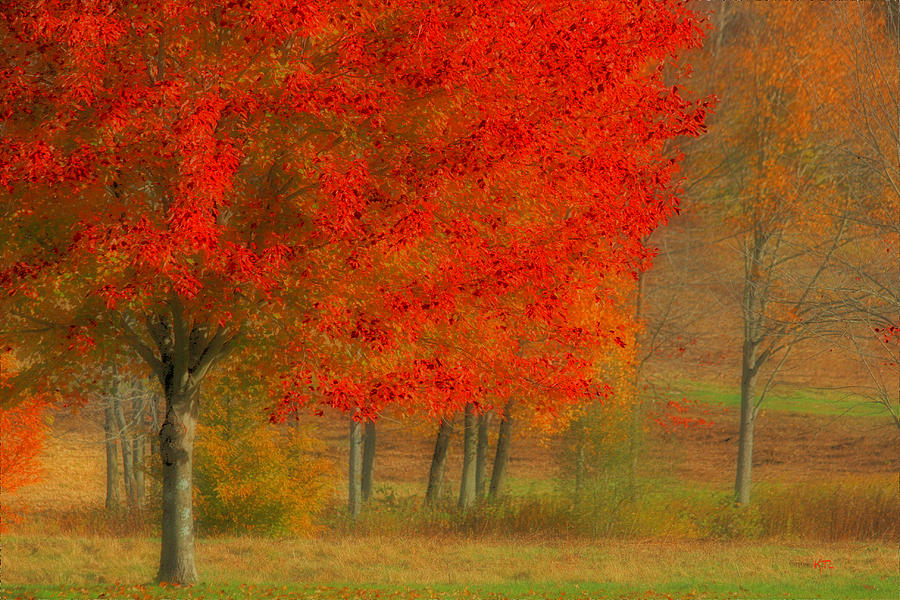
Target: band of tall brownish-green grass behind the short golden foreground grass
column 848, row 508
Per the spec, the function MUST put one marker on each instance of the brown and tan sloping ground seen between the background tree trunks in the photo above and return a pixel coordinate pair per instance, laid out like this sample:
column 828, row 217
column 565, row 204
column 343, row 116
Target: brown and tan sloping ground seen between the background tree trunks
column 788, row 447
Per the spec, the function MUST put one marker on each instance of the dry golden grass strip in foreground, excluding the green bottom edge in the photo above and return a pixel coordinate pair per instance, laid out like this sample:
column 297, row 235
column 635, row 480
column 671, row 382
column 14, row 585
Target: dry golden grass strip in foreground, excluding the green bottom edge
column 434, row 561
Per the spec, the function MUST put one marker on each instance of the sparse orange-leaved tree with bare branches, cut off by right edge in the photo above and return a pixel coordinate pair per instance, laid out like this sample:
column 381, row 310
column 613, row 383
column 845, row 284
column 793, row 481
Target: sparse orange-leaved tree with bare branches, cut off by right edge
column 866, row 289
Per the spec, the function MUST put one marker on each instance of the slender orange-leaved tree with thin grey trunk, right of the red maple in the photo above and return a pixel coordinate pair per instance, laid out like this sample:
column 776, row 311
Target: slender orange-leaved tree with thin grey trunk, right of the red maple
column 769, row 173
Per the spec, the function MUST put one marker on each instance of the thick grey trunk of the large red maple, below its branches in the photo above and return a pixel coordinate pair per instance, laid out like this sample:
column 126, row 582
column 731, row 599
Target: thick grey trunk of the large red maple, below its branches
column 176, row 443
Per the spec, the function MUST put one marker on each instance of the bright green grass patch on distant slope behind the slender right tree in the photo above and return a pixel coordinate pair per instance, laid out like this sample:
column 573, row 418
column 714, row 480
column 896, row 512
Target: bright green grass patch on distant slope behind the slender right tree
column 781, row 399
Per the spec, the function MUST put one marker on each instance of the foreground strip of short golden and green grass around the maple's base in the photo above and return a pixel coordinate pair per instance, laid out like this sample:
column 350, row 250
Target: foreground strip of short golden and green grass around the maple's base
column 447, row 567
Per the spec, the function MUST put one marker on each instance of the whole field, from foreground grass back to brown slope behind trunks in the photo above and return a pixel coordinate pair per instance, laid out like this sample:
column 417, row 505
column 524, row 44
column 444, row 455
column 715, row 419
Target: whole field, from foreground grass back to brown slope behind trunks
column 826, row 490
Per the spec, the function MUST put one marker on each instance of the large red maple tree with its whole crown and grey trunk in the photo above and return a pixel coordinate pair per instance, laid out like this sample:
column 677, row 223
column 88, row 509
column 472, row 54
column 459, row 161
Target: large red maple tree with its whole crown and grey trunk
column 394, row 191
